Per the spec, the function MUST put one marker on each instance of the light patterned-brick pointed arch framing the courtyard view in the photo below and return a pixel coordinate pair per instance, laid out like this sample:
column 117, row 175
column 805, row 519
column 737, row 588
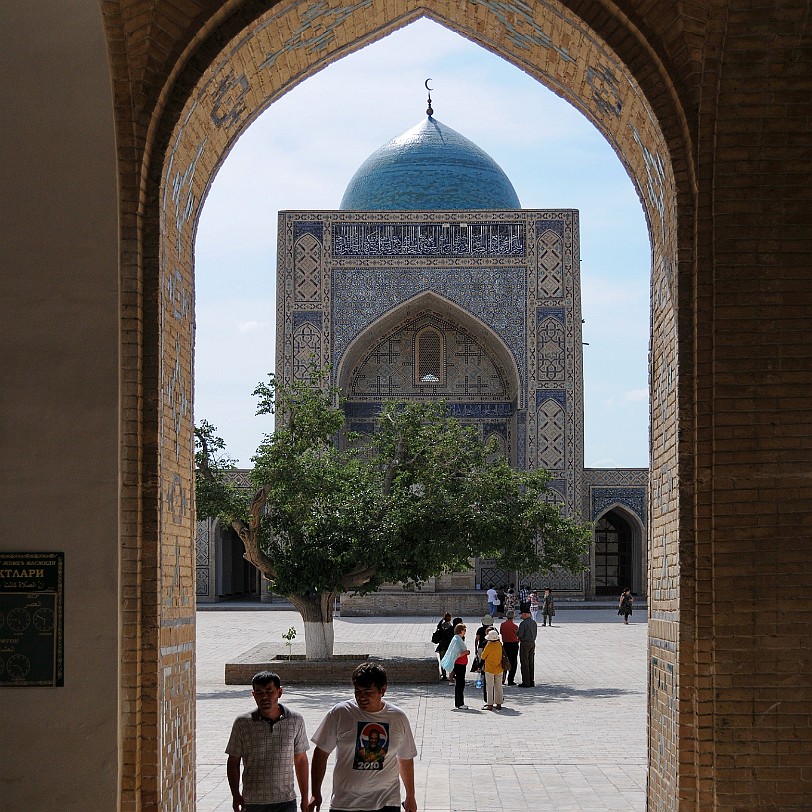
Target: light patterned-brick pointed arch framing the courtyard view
column 228, row 79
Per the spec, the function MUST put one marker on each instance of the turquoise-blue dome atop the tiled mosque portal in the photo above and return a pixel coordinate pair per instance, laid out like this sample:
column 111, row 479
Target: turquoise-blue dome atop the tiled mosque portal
column 428, row 168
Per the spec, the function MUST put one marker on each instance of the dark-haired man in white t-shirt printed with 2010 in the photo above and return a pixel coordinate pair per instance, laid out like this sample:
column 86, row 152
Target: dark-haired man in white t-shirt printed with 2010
column 374, row 747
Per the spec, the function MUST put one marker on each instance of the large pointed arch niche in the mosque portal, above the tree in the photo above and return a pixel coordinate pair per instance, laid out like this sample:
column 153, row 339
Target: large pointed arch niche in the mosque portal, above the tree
column 429, row 348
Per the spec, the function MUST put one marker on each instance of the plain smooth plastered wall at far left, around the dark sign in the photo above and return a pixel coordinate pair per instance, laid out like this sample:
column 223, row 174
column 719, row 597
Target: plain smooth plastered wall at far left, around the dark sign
column 59, row 399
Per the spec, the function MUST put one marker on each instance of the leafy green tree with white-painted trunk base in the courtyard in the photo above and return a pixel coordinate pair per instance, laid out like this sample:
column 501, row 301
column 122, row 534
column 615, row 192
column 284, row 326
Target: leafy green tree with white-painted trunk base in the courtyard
column 422, row 495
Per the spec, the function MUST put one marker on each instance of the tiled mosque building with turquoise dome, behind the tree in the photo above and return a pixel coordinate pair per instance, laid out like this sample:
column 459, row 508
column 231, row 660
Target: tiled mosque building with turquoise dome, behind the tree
column 431, row 282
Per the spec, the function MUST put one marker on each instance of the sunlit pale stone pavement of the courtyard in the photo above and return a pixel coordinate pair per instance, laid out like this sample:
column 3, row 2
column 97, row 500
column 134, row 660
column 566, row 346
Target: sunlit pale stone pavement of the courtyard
column 575, row 743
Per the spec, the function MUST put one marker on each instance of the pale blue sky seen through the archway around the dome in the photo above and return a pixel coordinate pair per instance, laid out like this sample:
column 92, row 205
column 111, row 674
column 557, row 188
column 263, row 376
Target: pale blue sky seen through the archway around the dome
column 302, row 152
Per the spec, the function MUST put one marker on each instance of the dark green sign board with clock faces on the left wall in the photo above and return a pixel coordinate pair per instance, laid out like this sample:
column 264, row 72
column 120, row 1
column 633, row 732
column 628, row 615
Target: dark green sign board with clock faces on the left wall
column 31, row 619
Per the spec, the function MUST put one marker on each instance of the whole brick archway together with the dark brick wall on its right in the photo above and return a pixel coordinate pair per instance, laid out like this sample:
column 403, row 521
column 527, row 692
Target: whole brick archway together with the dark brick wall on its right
column 708, row 104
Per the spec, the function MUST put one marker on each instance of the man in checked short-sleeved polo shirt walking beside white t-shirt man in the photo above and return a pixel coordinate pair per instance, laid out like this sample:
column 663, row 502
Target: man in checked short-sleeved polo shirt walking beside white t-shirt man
column 271, row 742
